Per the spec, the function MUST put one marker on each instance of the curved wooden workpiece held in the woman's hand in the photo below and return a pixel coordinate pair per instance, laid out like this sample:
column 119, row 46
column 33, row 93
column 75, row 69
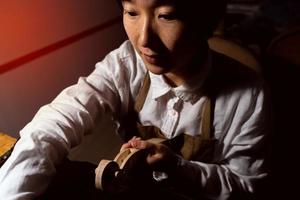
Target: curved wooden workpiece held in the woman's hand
column 128, row 167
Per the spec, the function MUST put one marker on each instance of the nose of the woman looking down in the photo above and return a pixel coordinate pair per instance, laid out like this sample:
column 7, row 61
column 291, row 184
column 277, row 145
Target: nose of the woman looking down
column 147, row 33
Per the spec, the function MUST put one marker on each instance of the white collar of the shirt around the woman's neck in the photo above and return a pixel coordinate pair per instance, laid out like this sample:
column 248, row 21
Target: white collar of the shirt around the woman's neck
column 190, row 91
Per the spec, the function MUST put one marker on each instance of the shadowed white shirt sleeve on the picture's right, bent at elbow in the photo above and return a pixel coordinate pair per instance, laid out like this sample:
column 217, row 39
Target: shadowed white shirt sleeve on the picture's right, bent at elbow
column 241, row 152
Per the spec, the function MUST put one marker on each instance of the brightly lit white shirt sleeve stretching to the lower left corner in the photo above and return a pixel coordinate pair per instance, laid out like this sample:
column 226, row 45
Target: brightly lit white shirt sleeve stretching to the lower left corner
column 61, row 125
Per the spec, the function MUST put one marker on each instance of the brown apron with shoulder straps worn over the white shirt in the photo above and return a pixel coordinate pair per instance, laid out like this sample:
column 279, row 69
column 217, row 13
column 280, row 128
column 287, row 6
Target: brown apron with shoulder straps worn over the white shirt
column 198, row 147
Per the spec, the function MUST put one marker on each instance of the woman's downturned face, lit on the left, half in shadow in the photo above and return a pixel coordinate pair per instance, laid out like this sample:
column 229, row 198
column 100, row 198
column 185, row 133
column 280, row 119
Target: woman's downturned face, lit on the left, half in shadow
column 161, row 35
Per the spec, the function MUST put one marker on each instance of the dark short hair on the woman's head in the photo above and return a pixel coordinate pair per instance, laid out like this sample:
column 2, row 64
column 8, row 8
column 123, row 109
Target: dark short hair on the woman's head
column 203, row 15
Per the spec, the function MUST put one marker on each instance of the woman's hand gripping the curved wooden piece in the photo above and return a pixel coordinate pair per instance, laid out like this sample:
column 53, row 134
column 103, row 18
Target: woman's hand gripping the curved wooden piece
column 160, row 157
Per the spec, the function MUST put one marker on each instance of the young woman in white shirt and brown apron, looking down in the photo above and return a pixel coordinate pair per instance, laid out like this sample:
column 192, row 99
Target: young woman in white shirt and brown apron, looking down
column 163, row 82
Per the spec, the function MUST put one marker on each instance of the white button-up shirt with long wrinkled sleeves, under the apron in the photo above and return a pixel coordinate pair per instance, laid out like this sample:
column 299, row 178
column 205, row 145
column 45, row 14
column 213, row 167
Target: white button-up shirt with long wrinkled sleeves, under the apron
column 239, row 124
